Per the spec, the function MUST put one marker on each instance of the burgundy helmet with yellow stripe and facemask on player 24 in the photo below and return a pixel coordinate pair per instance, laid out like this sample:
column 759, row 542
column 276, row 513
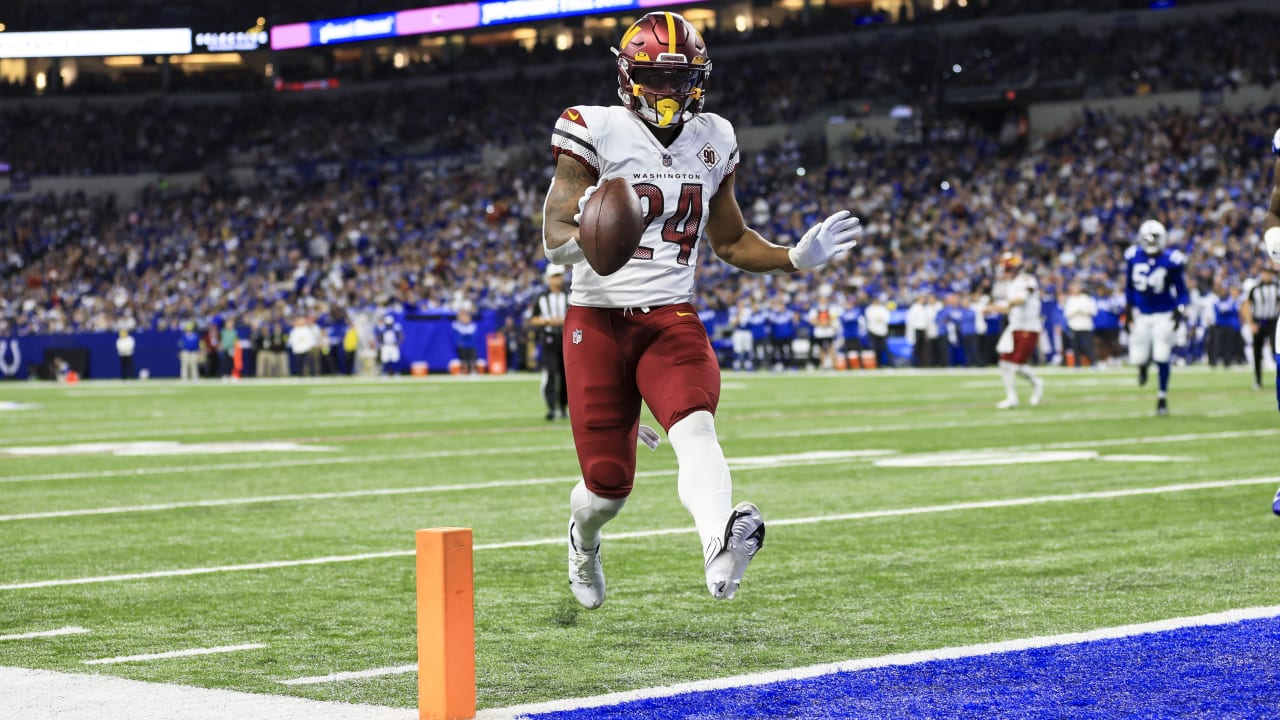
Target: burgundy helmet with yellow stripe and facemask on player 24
column 665, row 57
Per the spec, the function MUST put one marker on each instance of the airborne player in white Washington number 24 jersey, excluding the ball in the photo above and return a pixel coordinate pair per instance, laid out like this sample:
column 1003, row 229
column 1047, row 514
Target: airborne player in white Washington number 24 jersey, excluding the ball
column 634, row 335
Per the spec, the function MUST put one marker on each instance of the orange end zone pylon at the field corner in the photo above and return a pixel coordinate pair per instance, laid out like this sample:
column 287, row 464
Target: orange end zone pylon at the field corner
column 446, row 626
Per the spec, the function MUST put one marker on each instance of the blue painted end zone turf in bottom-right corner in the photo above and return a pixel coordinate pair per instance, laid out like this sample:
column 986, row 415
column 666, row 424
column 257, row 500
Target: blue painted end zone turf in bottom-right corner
column 1215, row 672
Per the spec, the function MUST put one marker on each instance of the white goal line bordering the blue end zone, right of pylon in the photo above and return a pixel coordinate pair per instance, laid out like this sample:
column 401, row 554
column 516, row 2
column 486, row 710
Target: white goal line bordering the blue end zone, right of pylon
column 1227, row 618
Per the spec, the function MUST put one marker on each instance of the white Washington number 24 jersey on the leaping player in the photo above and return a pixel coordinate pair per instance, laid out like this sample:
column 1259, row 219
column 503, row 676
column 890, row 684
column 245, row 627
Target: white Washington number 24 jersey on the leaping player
column 675, row 186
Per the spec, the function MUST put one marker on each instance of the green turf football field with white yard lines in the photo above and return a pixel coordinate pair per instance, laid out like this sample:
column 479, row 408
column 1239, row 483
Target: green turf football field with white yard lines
column 904, row 513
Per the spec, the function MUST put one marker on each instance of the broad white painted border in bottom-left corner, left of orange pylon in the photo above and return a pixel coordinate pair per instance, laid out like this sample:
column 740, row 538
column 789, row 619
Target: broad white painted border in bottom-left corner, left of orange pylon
column 45, row 695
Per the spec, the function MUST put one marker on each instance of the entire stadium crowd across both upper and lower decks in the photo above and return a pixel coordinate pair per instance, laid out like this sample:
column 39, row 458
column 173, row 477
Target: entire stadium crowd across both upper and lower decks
column 437, row 233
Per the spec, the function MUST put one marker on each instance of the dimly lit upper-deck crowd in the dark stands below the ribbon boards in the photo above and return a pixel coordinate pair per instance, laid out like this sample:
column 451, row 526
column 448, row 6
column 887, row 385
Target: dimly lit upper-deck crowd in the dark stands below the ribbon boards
column 752, row 89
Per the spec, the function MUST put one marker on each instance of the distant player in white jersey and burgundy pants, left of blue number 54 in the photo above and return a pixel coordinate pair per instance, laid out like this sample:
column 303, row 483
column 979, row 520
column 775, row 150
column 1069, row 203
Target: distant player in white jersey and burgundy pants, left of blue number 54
column 1018, row 297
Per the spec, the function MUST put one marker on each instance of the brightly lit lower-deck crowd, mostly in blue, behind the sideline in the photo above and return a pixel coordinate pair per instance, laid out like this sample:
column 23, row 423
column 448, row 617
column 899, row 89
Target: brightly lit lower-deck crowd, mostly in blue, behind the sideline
column 436, row 238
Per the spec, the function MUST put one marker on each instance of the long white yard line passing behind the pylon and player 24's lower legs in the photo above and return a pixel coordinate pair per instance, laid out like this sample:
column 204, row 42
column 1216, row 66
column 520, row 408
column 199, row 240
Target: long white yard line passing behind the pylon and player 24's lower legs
column 559, row 540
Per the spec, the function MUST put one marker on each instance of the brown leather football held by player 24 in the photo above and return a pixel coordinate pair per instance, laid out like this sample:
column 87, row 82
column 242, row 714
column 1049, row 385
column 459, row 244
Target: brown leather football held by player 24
column 611, row 226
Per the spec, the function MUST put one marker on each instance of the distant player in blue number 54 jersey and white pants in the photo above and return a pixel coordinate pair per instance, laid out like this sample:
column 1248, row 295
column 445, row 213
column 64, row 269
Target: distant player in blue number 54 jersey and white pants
column 1156, row 298
